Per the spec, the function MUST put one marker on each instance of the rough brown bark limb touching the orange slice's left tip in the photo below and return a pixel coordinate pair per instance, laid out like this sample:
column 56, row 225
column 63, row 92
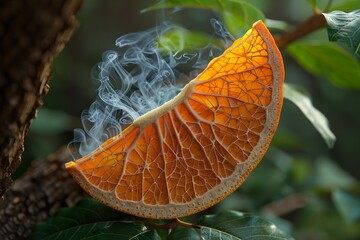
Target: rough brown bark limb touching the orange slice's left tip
column 45, row 187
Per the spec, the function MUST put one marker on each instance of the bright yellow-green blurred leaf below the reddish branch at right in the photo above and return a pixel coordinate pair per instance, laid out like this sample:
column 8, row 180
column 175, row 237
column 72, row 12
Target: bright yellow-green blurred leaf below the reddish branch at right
column 329, row 60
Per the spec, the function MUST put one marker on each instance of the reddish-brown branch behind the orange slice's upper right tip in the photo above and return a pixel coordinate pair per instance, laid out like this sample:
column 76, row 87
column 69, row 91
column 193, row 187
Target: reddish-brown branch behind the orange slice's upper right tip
column 311, row 24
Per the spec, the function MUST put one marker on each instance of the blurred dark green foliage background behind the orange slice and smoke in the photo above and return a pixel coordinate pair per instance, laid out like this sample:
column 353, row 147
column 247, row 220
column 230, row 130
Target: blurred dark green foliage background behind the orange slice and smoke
column 317, row 188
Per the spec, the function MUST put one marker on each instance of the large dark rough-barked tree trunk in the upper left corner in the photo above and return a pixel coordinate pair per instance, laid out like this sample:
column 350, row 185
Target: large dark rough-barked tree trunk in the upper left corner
column 32, row 33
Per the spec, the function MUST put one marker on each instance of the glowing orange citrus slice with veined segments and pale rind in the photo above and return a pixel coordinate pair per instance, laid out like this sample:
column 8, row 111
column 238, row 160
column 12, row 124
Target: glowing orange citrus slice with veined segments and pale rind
column 197, row 148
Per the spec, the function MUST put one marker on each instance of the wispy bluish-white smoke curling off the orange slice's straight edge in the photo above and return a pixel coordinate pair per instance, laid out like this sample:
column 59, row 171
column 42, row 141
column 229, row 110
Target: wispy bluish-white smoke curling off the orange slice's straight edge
column 136, row 78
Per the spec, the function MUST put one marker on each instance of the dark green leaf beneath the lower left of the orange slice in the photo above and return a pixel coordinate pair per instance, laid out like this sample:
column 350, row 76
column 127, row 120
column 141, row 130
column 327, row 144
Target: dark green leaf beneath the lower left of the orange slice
column 91, row 220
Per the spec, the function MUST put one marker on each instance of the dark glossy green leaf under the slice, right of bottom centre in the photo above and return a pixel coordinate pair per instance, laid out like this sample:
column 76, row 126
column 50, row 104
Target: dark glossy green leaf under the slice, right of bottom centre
column 236, row 225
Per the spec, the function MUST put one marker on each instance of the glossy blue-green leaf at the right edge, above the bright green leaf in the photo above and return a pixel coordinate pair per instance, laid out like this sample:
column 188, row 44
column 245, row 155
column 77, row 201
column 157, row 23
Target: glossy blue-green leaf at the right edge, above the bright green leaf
column 344, row 28
